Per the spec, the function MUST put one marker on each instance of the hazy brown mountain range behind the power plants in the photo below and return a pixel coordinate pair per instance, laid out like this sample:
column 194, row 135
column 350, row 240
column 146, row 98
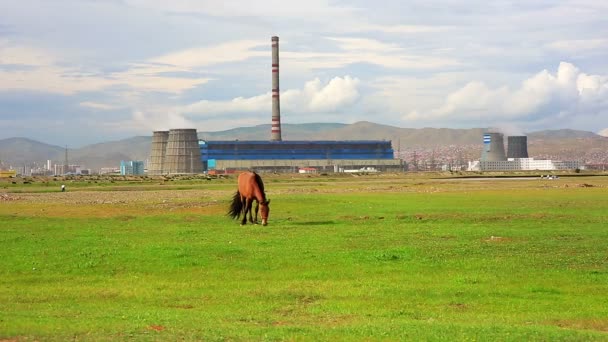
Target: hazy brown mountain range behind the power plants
column 562, row 144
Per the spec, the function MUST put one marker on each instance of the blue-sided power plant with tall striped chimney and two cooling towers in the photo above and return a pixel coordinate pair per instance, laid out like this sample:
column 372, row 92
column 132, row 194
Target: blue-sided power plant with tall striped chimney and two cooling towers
column 179, row 151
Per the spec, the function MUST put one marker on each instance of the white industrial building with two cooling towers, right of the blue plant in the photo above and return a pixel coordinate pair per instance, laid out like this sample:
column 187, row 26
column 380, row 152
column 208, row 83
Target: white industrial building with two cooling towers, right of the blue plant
column 493, row 156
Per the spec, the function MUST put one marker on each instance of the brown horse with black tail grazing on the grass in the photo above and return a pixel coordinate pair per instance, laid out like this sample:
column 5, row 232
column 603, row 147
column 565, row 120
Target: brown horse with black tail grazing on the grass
column 251, row 188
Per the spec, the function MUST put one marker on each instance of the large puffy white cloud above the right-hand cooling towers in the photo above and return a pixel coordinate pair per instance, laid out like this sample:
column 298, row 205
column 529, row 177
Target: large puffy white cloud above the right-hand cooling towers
column 567, row 92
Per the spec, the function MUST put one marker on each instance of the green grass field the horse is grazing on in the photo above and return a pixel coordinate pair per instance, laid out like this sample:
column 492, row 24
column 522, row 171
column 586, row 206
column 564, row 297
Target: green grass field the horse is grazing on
column 382, row 257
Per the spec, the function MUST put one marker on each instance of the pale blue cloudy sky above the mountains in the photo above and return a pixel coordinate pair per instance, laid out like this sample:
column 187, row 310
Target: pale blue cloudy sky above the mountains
column 80, row 72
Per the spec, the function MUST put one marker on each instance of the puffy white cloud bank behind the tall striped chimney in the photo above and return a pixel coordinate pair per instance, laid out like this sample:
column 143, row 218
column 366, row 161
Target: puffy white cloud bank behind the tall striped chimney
column 315, row 96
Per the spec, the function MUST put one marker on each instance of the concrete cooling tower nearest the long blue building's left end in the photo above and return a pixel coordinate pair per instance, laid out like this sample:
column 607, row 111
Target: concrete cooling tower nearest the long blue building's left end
column 183, row 153
